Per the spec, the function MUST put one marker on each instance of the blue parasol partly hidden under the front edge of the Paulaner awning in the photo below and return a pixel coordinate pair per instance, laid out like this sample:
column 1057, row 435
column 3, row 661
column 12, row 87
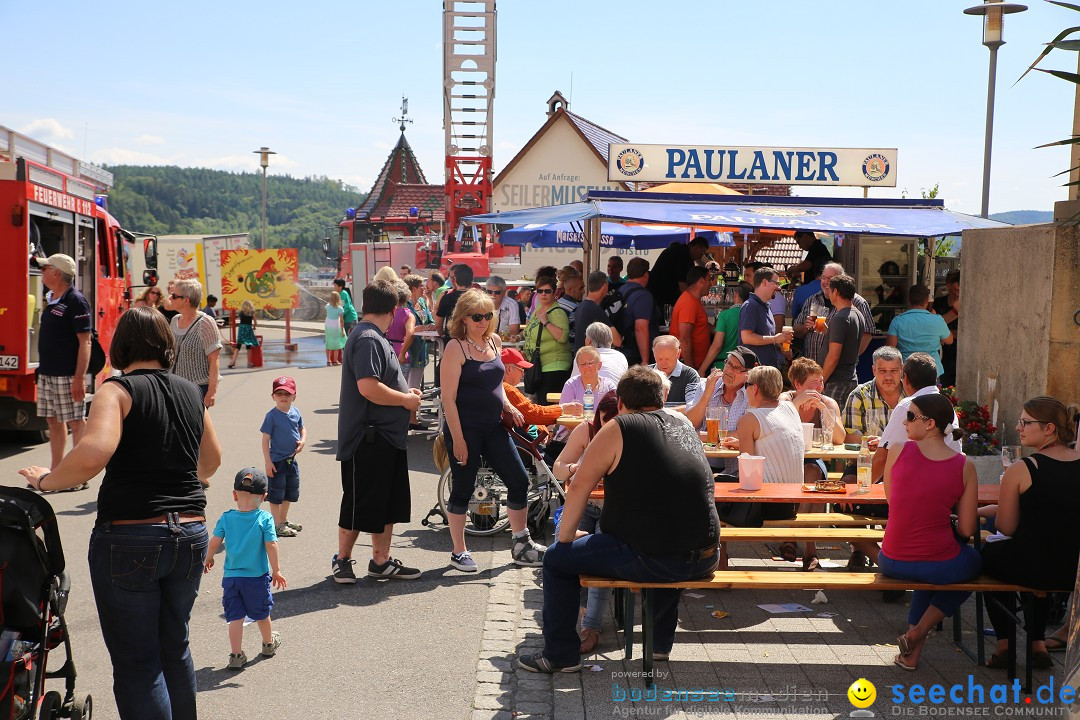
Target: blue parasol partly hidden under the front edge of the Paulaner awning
column 613, row 236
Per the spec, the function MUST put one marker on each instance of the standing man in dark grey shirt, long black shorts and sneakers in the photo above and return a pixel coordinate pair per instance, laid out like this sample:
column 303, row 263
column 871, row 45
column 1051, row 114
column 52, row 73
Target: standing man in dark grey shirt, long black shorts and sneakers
column 373, row 429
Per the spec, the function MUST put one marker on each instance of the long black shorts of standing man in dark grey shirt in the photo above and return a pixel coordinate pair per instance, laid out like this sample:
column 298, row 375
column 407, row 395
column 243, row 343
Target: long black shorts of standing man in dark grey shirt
column 375, row 491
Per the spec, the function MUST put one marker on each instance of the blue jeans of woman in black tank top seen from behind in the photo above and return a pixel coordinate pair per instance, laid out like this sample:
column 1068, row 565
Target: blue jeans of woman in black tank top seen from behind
column 146, row 580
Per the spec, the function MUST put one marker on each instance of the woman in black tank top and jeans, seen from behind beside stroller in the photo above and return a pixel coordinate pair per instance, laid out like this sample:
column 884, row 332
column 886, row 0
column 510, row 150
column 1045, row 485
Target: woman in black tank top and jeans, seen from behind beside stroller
column 151, row 432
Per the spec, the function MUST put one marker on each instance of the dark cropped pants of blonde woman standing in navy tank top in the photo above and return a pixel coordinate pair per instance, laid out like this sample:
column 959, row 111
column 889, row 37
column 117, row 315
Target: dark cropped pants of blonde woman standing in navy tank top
column 494, row 443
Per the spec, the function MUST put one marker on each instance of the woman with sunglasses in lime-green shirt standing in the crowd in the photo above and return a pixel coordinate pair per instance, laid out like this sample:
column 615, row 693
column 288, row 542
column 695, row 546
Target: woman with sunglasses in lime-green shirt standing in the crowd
column 549, row 330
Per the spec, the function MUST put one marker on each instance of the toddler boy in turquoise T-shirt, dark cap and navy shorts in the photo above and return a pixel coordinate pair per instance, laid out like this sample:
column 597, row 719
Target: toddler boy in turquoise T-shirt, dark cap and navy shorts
column 251, row 564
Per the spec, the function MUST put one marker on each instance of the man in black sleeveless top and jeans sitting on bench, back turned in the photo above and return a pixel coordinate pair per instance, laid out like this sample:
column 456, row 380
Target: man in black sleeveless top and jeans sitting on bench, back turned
column 649, row 536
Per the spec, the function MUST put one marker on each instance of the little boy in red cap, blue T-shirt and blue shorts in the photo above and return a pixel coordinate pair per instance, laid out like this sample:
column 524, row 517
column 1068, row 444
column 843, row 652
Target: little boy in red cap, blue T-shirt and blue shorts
column 283, row 438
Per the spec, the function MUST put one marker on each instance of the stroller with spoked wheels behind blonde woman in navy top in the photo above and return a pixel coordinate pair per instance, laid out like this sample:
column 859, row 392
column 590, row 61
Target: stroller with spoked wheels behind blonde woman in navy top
column 488, row 508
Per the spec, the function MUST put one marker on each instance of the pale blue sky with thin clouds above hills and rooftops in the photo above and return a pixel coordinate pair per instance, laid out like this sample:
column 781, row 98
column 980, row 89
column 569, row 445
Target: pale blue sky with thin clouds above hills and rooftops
column 205, row 84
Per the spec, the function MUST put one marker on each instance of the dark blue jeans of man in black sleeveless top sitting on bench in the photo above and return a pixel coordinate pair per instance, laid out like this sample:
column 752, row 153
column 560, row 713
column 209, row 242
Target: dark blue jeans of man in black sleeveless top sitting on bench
column 607, row 556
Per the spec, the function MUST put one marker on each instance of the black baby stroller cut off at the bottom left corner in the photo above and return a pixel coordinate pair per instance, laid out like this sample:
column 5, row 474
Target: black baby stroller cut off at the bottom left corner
column 34, row 589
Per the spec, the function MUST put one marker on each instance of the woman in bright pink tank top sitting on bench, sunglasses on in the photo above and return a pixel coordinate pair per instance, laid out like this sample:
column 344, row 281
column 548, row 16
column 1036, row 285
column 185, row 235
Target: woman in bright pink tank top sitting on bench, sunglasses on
column 926, row 482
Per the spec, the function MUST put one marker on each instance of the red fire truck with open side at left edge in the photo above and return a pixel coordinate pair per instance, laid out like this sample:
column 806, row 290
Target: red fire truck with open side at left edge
column 51, row 203
